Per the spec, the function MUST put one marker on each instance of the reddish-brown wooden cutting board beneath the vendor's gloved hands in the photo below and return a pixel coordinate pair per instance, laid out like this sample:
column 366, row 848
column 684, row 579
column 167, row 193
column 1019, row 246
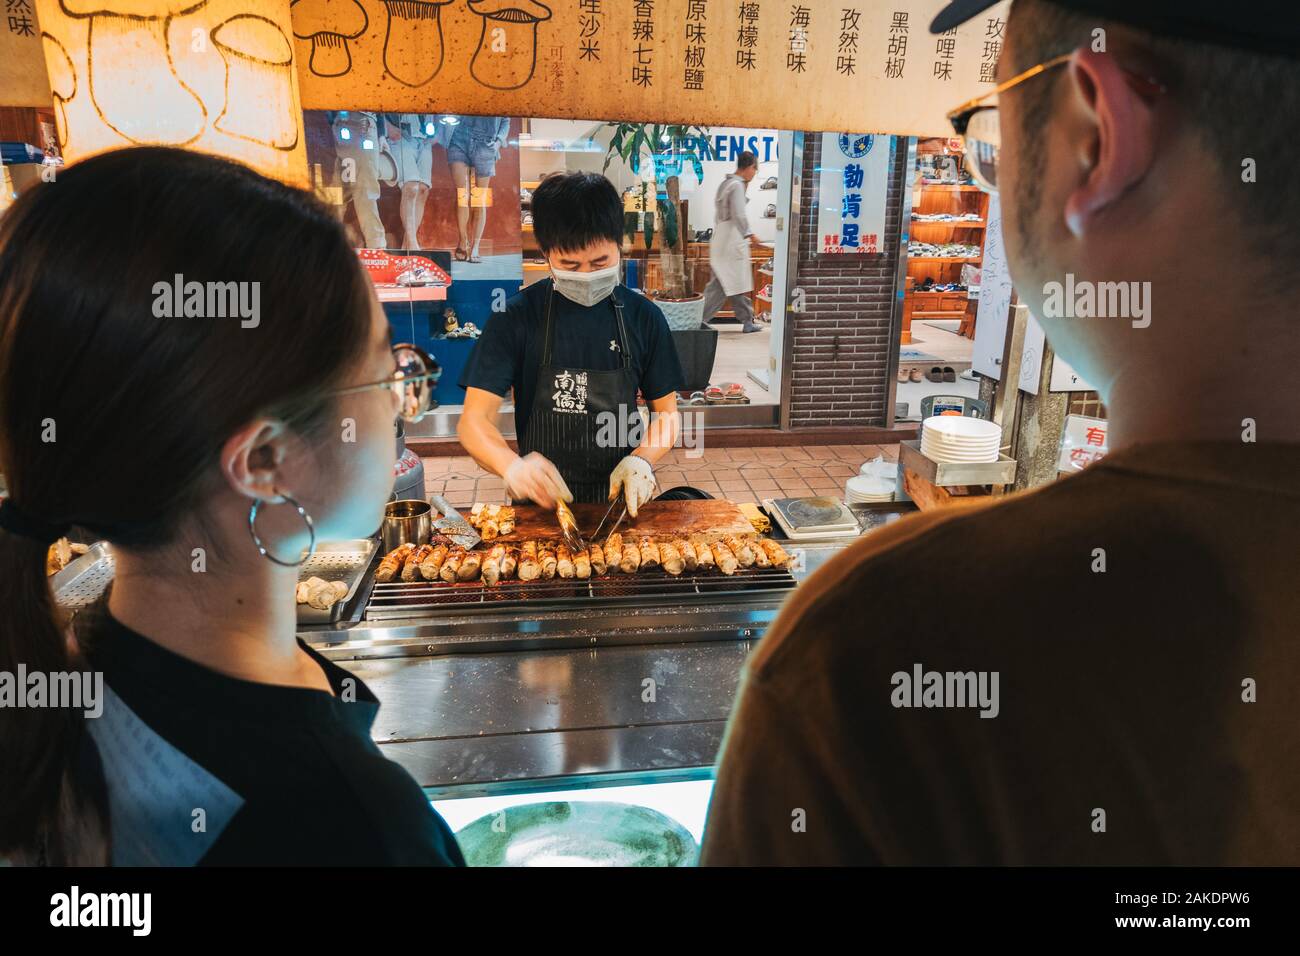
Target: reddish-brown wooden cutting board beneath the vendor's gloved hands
column 656, row 518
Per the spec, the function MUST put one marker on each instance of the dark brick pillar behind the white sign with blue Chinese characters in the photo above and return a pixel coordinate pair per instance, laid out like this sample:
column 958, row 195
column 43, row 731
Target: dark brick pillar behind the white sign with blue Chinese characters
column 842, row 340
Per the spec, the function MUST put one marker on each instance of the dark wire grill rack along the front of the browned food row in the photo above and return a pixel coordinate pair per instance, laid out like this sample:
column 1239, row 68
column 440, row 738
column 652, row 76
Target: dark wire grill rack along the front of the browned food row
column 405, row 600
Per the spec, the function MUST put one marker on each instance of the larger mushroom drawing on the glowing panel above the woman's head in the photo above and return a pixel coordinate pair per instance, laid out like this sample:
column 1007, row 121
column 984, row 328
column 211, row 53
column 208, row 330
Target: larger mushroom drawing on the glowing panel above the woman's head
column 129, row 70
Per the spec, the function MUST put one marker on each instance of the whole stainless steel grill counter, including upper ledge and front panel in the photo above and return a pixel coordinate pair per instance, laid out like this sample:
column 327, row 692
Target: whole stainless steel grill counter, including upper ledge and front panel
column 492, row 703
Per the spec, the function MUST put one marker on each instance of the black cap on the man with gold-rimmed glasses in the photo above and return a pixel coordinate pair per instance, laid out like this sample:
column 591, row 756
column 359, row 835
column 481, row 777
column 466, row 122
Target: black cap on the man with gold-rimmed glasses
column 1266, row 28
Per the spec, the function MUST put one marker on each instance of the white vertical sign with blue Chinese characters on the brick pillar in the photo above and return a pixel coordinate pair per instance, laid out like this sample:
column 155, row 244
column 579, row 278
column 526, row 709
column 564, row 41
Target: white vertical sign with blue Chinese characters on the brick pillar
column 852, row 187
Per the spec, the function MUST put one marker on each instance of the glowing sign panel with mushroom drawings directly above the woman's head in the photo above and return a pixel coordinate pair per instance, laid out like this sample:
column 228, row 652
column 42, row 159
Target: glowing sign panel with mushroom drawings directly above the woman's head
column 215, row 76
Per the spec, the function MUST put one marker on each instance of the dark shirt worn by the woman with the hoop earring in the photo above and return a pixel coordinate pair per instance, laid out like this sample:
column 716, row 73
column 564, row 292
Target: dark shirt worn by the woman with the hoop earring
column 214, row 771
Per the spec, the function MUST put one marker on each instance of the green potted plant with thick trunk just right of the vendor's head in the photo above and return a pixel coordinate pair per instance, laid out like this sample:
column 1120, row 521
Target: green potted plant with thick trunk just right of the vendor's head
column 670, row 149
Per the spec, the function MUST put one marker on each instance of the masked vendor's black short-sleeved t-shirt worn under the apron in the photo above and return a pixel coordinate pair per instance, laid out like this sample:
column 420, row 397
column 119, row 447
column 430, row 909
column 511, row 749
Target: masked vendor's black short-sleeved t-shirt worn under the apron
column 510, row 351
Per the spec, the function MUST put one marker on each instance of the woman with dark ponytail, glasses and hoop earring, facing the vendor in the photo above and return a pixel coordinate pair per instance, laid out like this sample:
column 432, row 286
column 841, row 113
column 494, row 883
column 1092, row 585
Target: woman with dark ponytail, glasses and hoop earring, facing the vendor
column 174, row 430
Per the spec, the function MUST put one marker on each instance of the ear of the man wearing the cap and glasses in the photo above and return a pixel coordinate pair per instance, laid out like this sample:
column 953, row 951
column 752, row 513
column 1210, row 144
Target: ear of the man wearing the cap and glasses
column 1120, row 144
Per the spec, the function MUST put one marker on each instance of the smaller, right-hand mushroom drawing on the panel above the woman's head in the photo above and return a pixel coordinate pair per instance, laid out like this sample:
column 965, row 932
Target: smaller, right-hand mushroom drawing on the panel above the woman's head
column 259, row 102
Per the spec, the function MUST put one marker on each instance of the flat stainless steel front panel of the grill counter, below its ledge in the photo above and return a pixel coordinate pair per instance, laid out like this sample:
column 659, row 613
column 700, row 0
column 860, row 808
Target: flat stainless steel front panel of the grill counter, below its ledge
column 486, row 724
